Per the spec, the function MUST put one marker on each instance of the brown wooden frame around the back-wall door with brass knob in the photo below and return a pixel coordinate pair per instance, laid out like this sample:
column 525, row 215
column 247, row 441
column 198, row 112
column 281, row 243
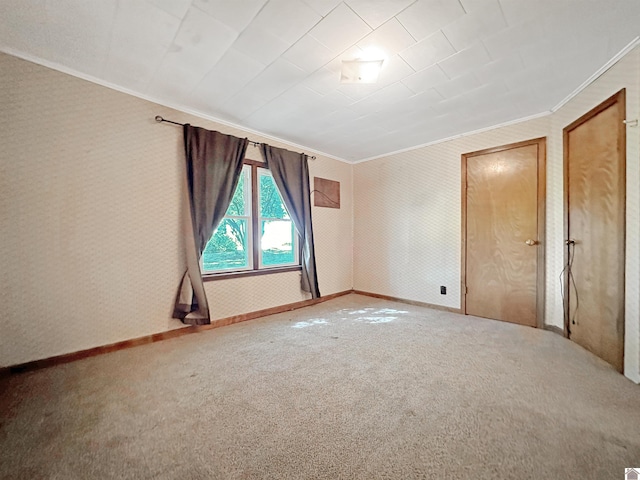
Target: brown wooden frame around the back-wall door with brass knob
column 541, row 216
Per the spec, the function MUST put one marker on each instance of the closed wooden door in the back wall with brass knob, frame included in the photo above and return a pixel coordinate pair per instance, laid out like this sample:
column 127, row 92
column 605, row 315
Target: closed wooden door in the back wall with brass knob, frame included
column 503, row 223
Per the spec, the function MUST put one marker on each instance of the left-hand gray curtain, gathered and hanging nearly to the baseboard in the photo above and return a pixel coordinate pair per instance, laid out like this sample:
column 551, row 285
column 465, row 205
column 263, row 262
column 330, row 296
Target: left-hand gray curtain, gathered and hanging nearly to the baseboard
column 214, row 163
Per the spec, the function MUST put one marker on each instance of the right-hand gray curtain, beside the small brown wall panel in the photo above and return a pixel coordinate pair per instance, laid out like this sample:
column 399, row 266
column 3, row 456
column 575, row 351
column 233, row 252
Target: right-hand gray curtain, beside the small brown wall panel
column 290, row 172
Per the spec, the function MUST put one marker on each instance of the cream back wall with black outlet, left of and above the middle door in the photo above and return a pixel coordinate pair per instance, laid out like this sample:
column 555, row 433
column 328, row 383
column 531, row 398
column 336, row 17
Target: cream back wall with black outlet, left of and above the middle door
column 408, row 217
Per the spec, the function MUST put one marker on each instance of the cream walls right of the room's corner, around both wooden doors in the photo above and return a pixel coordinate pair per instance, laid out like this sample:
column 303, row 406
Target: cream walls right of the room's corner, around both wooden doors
column 407, row 221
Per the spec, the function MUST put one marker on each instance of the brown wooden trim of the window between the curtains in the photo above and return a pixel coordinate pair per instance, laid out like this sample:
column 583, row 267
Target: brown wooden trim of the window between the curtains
column 255, row 269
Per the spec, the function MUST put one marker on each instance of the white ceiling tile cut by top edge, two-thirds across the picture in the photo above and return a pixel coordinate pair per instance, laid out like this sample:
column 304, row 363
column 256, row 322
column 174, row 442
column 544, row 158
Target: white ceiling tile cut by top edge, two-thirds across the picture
column 426, row 17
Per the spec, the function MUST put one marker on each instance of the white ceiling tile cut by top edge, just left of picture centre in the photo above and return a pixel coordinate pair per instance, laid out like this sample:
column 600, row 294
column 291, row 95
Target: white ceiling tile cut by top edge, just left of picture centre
column 286, row 19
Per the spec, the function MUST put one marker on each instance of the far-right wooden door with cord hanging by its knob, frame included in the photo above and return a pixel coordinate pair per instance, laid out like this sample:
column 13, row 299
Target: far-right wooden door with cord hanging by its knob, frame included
column 594, row 148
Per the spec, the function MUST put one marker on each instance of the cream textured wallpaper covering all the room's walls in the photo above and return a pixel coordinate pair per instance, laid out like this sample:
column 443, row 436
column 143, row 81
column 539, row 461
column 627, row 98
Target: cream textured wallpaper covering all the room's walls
column 90, row 187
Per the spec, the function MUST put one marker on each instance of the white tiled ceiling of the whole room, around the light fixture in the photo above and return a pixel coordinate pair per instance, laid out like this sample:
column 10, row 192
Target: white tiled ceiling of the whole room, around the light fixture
column 272, row 66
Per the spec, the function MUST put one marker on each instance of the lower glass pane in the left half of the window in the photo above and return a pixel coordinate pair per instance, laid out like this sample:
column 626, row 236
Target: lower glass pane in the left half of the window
column 228, row 248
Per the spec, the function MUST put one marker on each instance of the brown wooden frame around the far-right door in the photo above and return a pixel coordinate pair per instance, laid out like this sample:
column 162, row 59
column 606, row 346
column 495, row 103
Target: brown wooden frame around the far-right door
column 619, row 96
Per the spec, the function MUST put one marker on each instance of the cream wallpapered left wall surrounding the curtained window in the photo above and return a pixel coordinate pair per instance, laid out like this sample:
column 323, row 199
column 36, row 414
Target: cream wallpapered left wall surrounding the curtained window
column 90, row 190
